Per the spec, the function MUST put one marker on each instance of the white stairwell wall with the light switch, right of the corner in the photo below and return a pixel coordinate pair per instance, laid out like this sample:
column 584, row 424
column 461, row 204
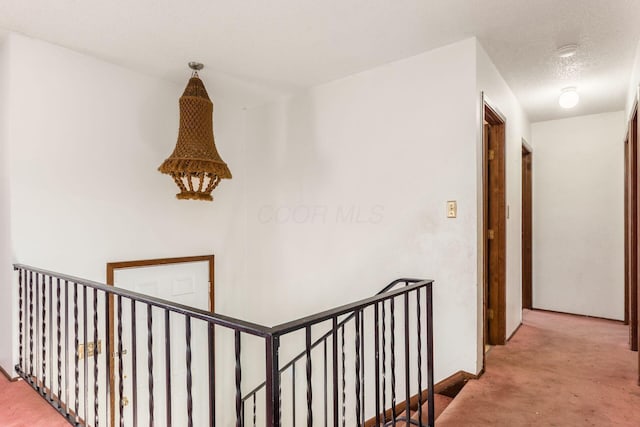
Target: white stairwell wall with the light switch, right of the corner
column 390, row 145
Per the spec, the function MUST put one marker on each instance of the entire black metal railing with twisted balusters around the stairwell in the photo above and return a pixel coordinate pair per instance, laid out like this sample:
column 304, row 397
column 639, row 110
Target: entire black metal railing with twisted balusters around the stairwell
column 166, row 373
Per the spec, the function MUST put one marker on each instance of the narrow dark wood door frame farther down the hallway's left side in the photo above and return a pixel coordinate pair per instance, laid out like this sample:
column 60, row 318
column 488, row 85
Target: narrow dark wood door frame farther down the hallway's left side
column 527, row 226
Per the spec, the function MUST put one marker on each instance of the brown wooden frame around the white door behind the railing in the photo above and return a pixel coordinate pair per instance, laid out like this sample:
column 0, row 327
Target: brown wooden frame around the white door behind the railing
column 111, row 267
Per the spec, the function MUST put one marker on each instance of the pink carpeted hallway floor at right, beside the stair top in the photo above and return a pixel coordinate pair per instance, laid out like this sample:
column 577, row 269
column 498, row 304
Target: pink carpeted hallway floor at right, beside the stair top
column 558, row 370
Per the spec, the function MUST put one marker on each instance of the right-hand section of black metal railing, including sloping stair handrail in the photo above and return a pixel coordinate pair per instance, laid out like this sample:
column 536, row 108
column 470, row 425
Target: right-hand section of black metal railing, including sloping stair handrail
column 335, row 370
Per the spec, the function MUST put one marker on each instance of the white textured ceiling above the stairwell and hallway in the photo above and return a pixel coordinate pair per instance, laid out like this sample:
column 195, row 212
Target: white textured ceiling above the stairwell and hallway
column 261, row 47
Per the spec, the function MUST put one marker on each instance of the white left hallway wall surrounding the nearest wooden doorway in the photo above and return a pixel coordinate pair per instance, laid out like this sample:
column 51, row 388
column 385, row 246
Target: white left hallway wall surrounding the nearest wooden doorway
column 500, row 96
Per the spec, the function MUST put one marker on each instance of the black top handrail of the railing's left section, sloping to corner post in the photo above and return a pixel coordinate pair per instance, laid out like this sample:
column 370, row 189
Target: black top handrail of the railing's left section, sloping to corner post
column 218, row 319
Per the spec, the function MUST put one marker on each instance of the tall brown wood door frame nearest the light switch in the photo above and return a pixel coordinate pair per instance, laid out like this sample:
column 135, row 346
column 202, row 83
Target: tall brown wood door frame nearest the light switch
column 494, row 224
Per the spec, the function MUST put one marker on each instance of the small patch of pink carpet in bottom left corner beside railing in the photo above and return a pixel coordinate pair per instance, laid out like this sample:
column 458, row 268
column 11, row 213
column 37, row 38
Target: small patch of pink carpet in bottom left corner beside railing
column 21, row 406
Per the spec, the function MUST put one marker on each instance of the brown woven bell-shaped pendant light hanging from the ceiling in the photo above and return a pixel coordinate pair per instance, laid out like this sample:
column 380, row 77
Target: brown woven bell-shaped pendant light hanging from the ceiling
column 195, row 165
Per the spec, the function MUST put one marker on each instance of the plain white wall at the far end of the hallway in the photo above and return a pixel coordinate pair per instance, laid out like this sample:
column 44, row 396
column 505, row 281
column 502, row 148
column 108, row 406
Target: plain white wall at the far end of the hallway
column 578, row 219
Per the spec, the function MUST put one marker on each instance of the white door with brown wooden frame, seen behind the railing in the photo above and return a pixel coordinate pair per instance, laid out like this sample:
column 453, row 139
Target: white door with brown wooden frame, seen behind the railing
column 187, row 281
